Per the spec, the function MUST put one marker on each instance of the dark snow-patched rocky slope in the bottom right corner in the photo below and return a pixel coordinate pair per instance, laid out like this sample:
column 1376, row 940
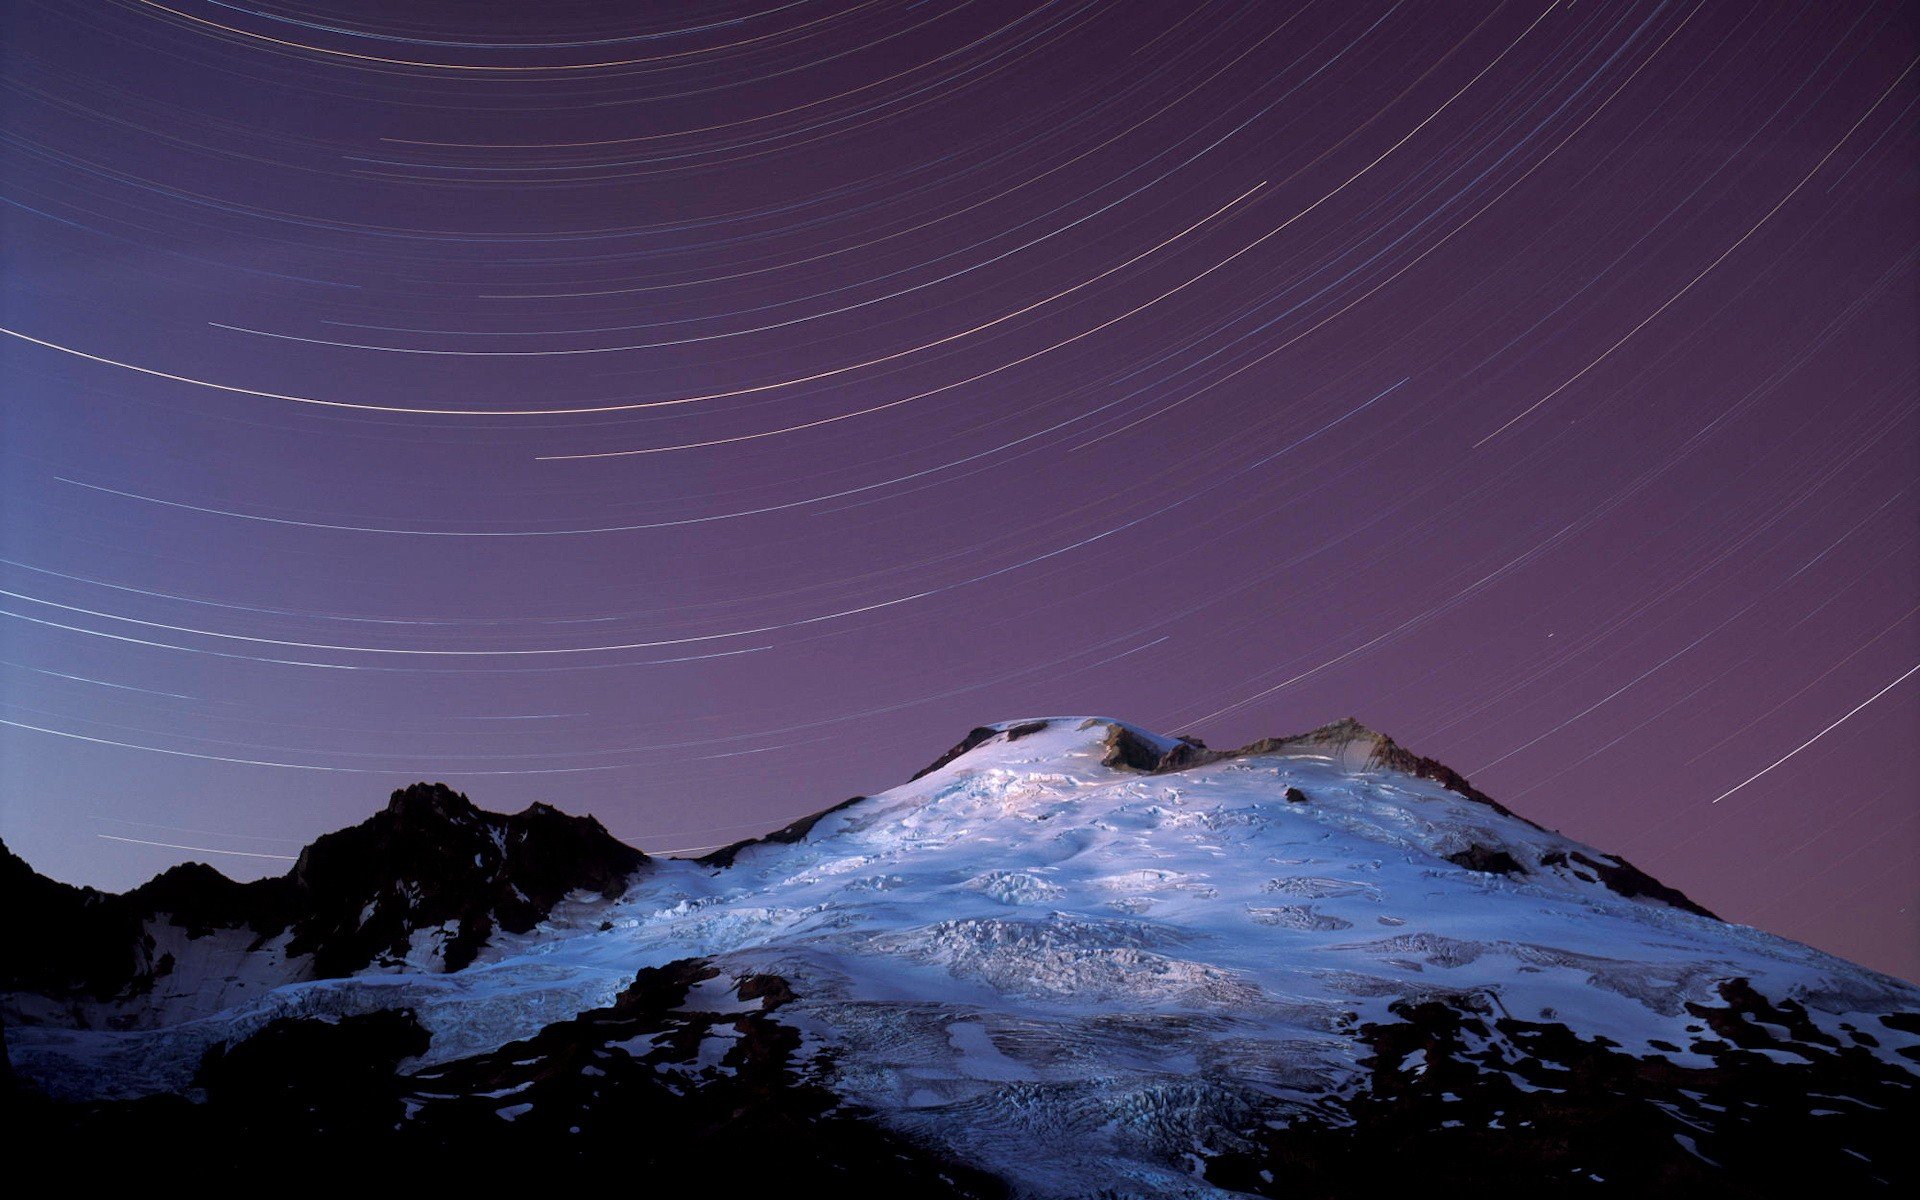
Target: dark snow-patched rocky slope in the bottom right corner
column 1487, row 1103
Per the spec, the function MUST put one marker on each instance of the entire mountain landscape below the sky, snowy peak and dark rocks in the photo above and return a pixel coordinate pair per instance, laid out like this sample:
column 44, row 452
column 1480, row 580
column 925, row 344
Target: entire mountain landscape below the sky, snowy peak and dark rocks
column 1070, row 959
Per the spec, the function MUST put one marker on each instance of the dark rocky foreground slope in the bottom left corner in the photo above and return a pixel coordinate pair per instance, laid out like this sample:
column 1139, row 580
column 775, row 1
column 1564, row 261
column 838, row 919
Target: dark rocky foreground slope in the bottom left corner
column 633, row 1092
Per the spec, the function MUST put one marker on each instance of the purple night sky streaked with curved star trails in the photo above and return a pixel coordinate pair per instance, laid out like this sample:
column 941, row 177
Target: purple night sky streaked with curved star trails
column 702, row 414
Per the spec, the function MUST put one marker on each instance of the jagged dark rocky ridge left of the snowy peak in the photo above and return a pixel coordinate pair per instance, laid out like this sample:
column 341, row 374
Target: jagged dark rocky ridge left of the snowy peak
column 423, row 884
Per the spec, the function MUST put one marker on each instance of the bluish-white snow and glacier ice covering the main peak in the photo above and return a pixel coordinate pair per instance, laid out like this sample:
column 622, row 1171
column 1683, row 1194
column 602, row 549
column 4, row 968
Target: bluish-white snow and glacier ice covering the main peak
column 1082, row 976
